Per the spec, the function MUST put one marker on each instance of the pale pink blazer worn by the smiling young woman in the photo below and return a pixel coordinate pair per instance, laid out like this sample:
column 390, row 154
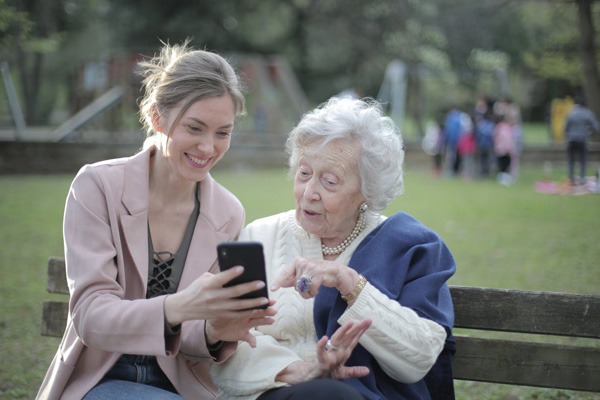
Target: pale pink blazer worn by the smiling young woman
column 106, row 253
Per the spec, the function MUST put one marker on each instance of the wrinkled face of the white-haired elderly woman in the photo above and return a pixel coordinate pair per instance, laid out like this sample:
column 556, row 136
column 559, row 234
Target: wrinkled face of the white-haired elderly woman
column 327, row 190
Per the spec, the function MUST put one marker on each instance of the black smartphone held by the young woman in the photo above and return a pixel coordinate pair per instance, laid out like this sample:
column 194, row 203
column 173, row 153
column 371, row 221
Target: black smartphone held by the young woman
column 249, row 255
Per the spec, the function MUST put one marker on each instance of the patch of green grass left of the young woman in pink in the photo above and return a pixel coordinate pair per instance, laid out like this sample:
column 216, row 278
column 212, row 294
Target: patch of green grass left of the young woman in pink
column 30, row 231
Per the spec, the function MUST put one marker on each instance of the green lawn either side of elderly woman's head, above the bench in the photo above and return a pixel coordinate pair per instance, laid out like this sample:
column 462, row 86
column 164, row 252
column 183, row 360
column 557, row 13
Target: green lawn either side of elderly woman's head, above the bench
column 506, row 237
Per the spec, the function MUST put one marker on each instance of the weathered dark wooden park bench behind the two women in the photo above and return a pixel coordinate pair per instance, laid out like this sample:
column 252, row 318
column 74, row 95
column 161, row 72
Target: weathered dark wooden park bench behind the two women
column 515, row 362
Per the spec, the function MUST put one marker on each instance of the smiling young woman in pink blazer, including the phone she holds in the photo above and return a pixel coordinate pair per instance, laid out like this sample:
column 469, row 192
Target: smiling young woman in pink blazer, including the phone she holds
column 148, row 311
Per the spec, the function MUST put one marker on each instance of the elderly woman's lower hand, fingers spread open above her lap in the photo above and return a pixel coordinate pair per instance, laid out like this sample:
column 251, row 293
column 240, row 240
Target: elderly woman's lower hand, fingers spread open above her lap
column 332, row 354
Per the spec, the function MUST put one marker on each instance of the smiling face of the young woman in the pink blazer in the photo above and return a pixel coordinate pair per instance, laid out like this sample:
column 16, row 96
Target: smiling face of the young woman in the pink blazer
column 199, row 138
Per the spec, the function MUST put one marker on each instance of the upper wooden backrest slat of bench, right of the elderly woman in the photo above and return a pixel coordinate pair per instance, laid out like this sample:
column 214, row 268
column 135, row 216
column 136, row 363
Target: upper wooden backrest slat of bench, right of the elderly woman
column 548, row 313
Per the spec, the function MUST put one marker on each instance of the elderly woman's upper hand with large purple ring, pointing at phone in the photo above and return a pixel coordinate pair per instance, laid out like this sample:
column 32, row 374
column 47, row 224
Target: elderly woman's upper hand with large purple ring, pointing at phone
column 320, row 272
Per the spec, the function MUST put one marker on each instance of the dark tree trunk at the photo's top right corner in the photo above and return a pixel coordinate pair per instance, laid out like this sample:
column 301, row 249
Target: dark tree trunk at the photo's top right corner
column 591, row 85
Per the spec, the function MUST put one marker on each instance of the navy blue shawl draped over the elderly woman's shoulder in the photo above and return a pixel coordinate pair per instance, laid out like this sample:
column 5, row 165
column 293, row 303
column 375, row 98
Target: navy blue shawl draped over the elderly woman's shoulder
column 410, row 263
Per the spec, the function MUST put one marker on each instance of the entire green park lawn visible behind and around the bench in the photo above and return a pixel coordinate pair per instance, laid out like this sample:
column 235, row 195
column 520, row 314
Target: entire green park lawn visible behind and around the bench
column 505, row 237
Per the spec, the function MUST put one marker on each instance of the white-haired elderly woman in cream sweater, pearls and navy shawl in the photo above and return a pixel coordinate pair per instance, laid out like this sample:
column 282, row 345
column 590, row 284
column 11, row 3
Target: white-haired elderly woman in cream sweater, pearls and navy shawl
column 364, row 310
